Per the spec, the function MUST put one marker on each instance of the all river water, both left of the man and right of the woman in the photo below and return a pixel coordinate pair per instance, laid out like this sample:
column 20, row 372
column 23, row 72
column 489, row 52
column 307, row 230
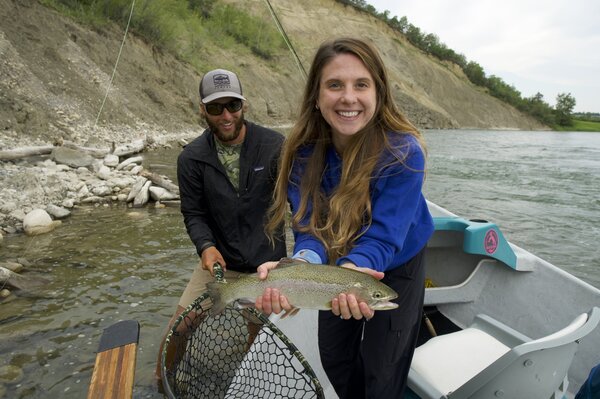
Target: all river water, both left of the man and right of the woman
column 106, row 264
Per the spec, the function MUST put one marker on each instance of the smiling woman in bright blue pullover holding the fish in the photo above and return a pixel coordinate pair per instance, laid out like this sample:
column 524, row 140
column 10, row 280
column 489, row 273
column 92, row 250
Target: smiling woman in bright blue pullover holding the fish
column 352, row 149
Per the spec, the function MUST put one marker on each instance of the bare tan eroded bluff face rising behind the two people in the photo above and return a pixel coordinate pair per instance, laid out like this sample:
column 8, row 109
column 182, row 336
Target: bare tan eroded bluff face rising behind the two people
column 54, row 75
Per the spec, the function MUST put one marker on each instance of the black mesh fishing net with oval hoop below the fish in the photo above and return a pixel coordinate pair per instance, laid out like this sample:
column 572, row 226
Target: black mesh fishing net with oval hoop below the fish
column 235, row 354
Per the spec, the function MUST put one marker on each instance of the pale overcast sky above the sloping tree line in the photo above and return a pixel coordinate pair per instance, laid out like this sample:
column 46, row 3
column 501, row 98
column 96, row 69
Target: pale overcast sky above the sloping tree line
column 550, row 46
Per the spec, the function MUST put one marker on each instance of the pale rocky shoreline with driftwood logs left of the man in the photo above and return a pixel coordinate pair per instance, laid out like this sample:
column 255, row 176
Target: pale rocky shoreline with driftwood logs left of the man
column 38, row 190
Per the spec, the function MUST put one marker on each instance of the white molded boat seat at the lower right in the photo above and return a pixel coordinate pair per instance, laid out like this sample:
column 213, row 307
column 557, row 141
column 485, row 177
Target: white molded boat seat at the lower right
column 491, row 360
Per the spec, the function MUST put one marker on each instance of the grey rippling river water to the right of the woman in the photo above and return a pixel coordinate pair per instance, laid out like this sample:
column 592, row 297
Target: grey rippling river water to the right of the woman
column 541, row 188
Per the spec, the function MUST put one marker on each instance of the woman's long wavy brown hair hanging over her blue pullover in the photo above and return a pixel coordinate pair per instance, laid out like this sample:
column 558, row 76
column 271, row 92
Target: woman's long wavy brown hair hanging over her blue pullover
column 337, row 220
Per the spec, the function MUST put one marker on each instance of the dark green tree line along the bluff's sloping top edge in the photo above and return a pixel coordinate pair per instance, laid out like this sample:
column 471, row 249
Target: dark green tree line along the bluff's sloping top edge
column 536, row 106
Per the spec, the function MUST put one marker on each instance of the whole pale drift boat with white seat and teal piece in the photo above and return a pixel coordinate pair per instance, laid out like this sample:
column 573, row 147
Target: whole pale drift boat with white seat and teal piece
column 508, row 323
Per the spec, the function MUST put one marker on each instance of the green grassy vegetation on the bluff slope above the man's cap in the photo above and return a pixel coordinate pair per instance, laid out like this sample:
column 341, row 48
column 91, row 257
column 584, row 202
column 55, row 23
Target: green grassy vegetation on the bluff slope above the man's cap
column 180, row 27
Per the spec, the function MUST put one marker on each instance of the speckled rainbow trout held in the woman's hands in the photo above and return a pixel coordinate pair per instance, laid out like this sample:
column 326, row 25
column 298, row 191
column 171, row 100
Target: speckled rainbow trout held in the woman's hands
column 306, row 286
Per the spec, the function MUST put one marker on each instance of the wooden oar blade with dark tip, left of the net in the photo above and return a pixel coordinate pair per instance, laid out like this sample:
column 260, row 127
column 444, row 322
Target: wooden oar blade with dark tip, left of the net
column 115, row 362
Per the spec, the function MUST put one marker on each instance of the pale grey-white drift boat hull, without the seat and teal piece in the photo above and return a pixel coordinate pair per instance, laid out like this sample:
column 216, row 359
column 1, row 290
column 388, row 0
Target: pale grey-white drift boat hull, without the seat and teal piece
column 533, row 297
